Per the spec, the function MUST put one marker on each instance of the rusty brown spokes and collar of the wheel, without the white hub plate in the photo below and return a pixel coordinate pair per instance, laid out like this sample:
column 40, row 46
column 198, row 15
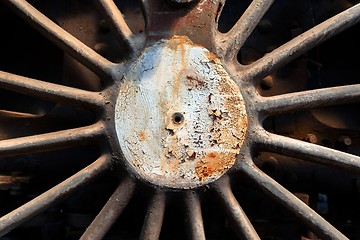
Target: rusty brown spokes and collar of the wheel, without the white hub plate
column 203, row 31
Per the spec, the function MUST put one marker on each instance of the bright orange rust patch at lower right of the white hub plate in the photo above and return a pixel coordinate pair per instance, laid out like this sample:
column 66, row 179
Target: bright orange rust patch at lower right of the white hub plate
column 214, row 164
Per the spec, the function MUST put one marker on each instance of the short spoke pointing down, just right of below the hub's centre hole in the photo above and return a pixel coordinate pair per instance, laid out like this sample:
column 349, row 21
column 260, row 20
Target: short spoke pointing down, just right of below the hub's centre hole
column 195, row 227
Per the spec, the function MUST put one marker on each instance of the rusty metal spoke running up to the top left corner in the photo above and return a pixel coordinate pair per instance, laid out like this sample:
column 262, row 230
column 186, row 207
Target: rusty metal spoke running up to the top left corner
column 63, row 39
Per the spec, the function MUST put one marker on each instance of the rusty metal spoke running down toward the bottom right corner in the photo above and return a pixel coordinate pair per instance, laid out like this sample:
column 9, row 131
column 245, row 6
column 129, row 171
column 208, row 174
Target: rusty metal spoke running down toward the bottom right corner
column 280, row 195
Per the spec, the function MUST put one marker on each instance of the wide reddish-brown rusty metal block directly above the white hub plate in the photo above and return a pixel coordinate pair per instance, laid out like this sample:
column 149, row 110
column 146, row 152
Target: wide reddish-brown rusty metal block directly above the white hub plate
column 196, row 21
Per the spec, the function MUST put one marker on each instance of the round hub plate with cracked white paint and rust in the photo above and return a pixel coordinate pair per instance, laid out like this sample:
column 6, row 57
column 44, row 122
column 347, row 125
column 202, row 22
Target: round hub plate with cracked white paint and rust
column 180, row 119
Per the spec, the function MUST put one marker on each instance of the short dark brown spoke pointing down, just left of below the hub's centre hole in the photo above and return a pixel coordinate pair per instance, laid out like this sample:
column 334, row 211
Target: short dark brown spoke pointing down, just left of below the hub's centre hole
column 154, row 217
